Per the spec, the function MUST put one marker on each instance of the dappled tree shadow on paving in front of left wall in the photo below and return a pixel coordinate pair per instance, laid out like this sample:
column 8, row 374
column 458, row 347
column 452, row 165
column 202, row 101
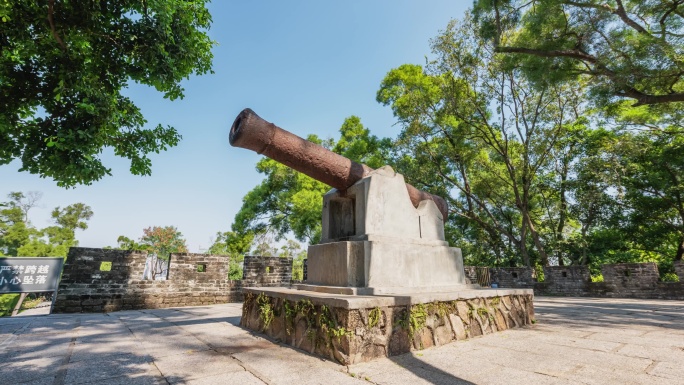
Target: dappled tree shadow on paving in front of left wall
column 115, row 348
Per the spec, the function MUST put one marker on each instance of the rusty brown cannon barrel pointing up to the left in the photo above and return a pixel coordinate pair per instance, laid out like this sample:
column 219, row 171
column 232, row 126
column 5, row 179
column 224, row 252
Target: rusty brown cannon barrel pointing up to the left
column 254, row 133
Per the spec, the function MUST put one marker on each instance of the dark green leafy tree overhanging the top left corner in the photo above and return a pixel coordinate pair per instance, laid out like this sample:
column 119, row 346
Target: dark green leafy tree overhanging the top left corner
column 62, row 71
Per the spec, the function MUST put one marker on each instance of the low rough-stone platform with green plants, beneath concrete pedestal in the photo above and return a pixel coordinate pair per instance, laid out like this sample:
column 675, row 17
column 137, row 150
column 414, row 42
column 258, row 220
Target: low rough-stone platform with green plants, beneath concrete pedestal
column 356, row 328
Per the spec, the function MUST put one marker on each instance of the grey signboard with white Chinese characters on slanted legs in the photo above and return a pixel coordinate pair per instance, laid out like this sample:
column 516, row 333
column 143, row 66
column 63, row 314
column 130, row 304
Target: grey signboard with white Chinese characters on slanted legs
column 30, row 275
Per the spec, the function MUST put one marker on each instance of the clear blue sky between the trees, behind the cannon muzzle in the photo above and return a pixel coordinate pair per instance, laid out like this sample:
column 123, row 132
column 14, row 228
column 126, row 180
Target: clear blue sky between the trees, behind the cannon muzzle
column 303, row 65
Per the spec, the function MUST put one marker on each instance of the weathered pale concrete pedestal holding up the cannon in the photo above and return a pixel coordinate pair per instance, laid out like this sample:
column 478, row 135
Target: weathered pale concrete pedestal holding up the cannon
column 373, row 237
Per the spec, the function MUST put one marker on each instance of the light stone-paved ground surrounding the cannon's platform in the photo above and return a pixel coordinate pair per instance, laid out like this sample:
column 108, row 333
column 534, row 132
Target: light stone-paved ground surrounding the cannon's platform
column 575, row 341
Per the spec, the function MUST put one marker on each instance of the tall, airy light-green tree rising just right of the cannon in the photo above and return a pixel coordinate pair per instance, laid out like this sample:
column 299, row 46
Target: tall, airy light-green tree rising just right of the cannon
column 482, row 135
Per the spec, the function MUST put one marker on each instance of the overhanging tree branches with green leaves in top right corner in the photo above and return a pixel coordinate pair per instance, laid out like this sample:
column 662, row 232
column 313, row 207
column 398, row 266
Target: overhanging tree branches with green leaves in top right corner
column 627, row 48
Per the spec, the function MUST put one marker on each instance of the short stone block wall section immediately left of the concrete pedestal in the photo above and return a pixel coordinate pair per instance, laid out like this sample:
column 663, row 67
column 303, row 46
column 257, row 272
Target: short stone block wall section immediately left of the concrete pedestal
column 266, row 271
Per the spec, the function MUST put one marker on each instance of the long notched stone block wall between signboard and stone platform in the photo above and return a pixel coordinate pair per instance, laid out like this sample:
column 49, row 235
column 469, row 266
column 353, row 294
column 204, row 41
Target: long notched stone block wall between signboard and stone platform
column 87, row 287
